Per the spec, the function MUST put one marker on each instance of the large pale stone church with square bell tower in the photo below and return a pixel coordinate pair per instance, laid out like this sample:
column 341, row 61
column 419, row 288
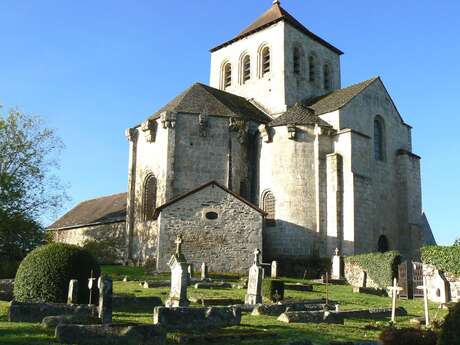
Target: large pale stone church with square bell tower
column 273, row 154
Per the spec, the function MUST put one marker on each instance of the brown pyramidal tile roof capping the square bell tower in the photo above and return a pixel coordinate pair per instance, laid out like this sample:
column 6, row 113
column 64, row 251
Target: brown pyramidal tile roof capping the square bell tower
column 274, row 15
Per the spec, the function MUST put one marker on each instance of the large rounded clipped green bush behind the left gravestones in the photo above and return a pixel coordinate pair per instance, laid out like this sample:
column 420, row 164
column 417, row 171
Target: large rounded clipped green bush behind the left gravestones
column 44, row 274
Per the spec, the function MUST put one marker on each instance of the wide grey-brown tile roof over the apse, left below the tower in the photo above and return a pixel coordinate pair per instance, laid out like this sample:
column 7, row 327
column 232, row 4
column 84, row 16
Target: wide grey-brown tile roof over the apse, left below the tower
column 199, row 97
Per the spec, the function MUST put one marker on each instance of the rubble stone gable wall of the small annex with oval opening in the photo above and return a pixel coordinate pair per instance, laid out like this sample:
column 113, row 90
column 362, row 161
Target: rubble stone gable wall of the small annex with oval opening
column 225, row 244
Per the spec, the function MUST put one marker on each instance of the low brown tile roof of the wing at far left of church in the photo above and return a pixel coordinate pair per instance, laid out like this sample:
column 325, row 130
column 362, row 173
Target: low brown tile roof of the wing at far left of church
column 103, row 210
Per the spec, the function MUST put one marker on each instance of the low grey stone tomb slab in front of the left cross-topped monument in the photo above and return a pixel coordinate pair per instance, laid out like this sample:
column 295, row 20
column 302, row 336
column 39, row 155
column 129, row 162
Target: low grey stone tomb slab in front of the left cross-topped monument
column 193, row 319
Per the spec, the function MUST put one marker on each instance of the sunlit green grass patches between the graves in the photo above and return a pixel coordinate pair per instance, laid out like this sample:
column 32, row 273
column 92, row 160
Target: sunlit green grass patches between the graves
column 352, row 330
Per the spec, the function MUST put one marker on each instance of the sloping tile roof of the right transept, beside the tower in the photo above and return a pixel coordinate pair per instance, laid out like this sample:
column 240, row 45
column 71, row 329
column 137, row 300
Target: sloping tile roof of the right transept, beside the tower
column 337, row 99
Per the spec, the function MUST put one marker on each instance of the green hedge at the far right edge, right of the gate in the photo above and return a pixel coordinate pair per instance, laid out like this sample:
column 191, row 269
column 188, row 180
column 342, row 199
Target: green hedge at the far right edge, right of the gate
column 446, row 259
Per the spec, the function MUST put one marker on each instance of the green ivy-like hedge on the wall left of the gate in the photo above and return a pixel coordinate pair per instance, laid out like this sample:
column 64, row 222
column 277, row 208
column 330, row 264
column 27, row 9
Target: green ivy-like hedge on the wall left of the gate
column 380, row 267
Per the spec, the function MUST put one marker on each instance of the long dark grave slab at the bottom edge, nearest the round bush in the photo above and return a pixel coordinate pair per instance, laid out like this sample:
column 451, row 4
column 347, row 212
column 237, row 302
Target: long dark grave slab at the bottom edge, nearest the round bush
column 111, row 334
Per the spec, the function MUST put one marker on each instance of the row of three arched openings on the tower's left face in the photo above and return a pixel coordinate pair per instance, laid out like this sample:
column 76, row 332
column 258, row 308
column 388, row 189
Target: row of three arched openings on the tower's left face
column 245, row 68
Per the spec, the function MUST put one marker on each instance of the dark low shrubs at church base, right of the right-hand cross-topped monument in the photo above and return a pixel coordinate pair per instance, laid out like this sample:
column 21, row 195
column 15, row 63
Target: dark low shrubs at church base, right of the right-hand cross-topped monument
column 296, row 267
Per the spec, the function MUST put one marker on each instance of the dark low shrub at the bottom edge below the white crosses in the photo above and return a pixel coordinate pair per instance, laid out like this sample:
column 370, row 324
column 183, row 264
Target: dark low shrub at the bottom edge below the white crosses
column 408, row 336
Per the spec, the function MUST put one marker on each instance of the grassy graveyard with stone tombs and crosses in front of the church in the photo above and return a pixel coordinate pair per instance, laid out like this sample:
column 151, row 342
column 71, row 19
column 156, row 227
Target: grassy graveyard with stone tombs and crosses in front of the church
column 203, row 307
